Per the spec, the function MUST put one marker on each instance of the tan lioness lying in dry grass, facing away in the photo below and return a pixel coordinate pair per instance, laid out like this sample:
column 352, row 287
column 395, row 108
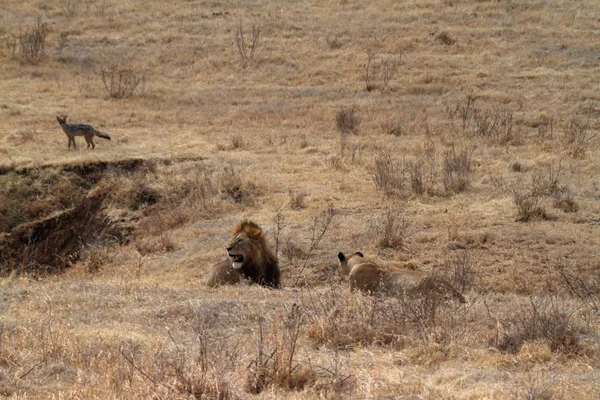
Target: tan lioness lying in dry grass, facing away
column 368, row 277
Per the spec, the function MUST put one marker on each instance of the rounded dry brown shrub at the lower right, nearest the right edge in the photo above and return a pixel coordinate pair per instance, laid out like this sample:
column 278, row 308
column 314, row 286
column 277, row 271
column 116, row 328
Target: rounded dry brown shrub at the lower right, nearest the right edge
column 543, row 318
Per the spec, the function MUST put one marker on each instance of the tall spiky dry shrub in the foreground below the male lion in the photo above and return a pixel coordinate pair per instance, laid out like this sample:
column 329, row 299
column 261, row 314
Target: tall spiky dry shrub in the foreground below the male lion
column 276, row 362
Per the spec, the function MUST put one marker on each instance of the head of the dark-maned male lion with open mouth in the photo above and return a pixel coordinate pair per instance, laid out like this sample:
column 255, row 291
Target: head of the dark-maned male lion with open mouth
column 245, row 244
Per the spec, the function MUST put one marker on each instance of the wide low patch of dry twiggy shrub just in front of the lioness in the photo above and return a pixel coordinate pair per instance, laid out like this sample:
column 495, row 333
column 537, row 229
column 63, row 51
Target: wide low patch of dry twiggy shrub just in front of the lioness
column 344, row 319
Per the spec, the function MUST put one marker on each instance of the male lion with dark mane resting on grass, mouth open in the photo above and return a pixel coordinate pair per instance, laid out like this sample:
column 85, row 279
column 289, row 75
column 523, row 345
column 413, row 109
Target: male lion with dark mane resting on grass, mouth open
column 250, row 259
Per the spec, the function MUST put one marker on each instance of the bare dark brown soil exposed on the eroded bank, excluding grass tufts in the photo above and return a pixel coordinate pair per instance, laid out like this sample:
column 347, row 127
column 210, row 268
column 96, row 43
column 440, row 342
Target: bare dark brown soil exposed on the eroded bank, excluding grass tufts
column 50, row 239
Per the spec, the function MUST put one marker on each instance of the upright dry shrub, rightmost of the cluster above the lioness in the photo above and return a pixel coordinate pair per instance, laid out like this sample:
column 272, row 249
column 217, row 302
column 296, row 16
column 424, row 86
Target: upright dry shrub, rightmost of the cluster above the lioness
column 456, row 169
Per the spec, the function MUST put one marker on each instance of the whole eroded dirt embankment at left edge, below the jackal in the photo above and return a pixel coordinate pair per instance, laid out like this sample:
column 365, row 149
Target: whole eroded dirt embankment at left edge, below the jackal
column 49, row 214
